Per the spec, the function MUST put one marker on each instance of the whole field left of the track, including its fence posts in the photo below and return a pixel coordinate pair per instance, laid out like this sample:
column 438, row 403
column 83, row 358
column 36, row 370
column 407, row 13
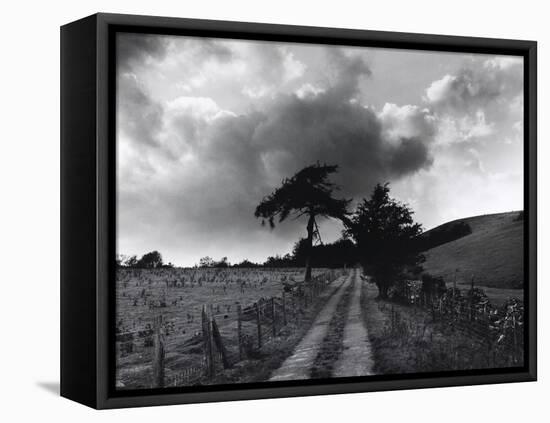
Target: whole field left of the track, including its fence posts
column 182, row 326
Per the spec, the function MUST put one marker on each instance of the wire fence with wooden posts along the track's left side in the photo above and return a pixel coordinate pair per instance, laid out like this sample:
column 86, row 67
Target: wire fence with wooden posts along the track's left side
column 226, row 337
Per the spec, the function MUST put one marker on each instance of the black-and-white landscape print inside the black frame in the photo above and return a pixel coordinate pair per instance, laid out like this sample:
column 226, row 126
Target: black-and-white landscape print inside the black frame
column 290, row 212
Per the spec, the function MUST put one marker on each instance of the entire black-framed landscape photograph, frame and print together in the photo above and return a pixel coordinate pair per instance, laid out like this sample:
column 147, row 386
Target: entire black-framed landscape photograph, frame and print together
column 254, row 211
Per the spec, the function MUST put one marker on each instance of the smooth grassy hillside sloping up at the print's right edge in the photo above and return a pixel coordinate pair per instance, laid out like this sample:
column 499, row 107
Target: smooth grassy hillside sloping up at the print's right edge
column 492, row 254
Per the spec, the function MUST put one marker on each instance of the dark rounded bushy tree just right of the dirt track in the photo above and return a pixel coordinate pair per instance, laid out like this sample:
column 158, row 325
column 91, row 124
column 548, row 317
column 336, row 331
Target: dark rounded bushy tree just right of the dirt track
column 385, row 234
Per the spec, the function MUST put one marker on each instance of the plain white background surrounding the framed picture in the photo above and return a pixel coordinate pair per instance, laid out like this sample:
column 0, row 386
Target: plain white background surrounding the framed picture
column 29, row 178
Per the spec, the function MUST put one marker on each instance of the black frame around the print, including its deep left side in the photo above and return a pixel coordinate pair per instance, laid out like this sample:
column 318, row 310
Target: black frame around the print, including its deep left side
column 88, row 208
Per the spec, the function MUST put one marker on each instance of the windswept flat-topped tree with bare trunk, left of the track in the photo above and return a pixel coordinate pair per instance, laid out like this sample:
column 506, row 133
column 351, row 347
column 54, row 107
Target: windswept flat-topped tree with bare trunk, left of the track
column 308, row 193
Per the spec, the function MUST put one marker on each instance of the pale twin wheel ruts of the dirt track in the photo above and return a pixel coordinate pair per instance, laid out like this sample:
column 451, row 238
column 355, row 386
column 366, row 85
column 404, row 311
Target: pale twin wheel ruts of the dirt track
column 355, row 358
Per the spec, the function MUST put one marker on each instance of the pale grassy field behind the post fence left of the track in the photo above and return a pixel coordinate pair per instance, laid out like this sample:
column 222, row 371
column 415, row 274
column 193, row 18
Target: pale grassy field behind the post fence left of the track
column 178, row 295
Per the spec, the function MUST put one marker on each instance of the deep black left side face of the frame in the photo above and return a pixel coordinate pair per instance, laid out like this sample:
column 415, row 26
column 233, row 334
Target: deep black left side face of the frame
column 77, row 212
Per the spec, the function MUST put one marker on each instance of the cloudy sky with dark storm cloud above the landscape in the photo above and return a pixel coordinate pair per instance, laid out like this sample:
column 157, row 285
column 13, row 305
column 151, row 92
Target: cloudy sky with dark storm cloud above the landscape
column 207, row 127
